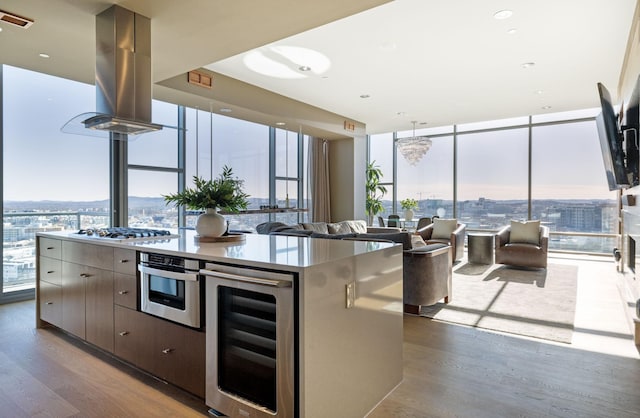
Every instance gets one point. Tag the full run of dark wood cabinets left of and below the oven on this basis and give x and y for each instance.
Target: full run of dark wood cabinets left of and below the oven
(91, 291)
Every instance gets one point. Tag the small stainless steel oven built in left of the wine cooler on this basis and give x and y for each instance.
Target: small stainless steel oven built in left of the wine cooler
(172, 288)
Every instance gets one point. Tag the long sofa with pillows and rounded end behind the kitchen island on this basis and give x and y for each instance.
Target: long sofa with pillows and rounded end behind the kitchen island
(427, 268)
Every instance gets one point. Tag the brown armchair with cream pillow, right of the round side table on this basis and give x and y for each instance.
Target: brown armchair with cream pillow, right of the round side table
(521, 251)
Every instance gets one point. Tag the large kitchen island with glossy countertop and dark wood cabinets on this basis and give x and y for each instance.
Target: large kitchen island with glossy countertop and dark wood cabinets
(347, 310)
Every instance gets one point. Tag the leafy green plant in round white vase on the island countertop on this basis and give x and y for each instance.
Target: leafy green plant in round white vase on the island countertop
(224, 192)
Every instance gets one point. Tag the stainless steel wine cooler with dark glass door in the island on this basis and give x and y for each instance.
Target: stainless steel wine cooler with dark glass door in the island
(250, 342)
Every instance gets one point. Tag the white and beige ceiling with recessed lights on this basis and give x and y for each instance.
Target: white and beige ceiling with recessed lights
(431, 61)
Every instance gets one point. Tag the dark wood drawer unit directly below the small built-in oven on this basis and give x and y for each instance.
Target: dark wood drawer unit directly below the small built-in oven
(169, 351)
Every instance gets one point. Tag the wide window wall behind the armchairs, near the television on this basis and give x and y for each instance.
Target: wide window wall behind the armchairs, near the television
(546, 167)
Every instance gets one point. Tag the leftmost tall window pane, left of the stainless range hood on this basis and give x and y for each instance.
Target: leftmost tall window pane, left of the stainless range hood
(51, 180)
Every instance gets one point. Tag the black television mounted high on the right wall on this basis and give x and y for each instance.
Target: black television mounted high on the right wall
(619, 148)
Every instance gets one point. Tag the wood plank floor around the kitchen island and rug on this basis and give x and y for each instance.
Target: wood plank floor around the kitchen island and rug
(450, 370)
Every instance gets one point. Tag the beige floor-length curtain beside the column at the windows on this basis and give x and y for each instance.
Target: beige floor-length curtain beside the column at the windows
(319, 180)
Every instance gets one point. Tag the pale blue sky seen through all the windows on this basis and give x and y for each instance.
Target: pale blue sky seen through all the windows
(43, 163)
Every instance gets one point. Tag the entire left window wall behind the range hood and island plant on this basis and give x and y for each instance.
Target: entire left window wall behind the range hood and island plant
(55, 181)
